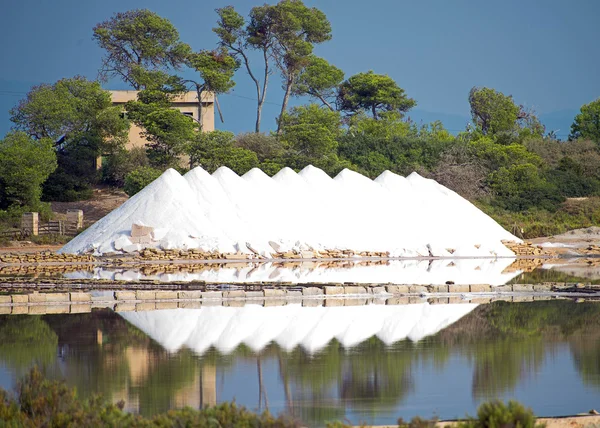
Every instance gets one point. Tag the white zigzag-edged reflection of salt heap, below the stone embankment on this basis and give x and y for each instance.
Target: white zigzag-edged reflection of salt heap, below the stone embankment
(292, 325)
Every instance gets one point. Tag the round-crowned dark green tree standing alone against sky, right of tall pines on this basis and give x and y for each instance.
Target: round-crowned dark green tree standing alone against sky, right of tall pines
(374, 93)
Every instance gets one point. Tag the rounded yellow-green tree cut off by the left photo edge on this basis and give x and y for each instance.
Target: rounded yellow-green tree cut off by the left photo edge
(25, 164)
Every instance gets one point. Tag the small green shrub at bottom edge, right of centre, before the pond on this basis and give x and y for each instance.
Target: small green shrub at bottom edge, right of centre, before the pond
(496, 414)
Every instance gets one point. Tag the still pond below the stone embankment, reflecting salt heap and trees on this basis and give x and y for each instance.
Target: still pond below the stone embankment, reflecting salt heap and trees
(355, 365)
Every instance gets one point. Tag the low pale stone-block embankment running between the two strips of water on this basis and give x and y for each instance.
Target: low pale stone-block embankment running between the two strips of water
(327, 295)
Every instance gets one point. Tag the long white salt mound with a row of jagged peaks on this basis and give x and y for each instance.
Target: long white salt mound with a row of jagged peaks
(309, 212)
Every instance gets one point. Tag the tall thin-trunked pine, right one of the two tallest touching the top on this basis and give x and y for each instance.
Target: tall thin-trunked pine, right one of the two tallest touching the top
(297, 29)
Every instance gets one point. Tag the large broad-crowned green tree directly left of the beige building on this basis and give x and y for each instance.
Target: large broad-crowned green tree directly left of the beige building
(78, 117)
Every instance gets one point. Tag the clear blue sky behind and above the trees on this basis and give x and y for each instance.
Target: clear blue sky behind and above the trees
(543, 52)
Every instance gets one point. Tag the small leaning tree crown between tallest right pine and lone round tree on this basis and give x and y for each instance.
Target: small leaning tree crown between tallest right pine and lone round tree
(319, 80)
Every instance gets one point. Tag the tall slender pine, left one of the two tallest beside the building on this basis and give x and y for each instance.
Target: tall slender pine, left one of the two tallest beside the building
(240, 37)
